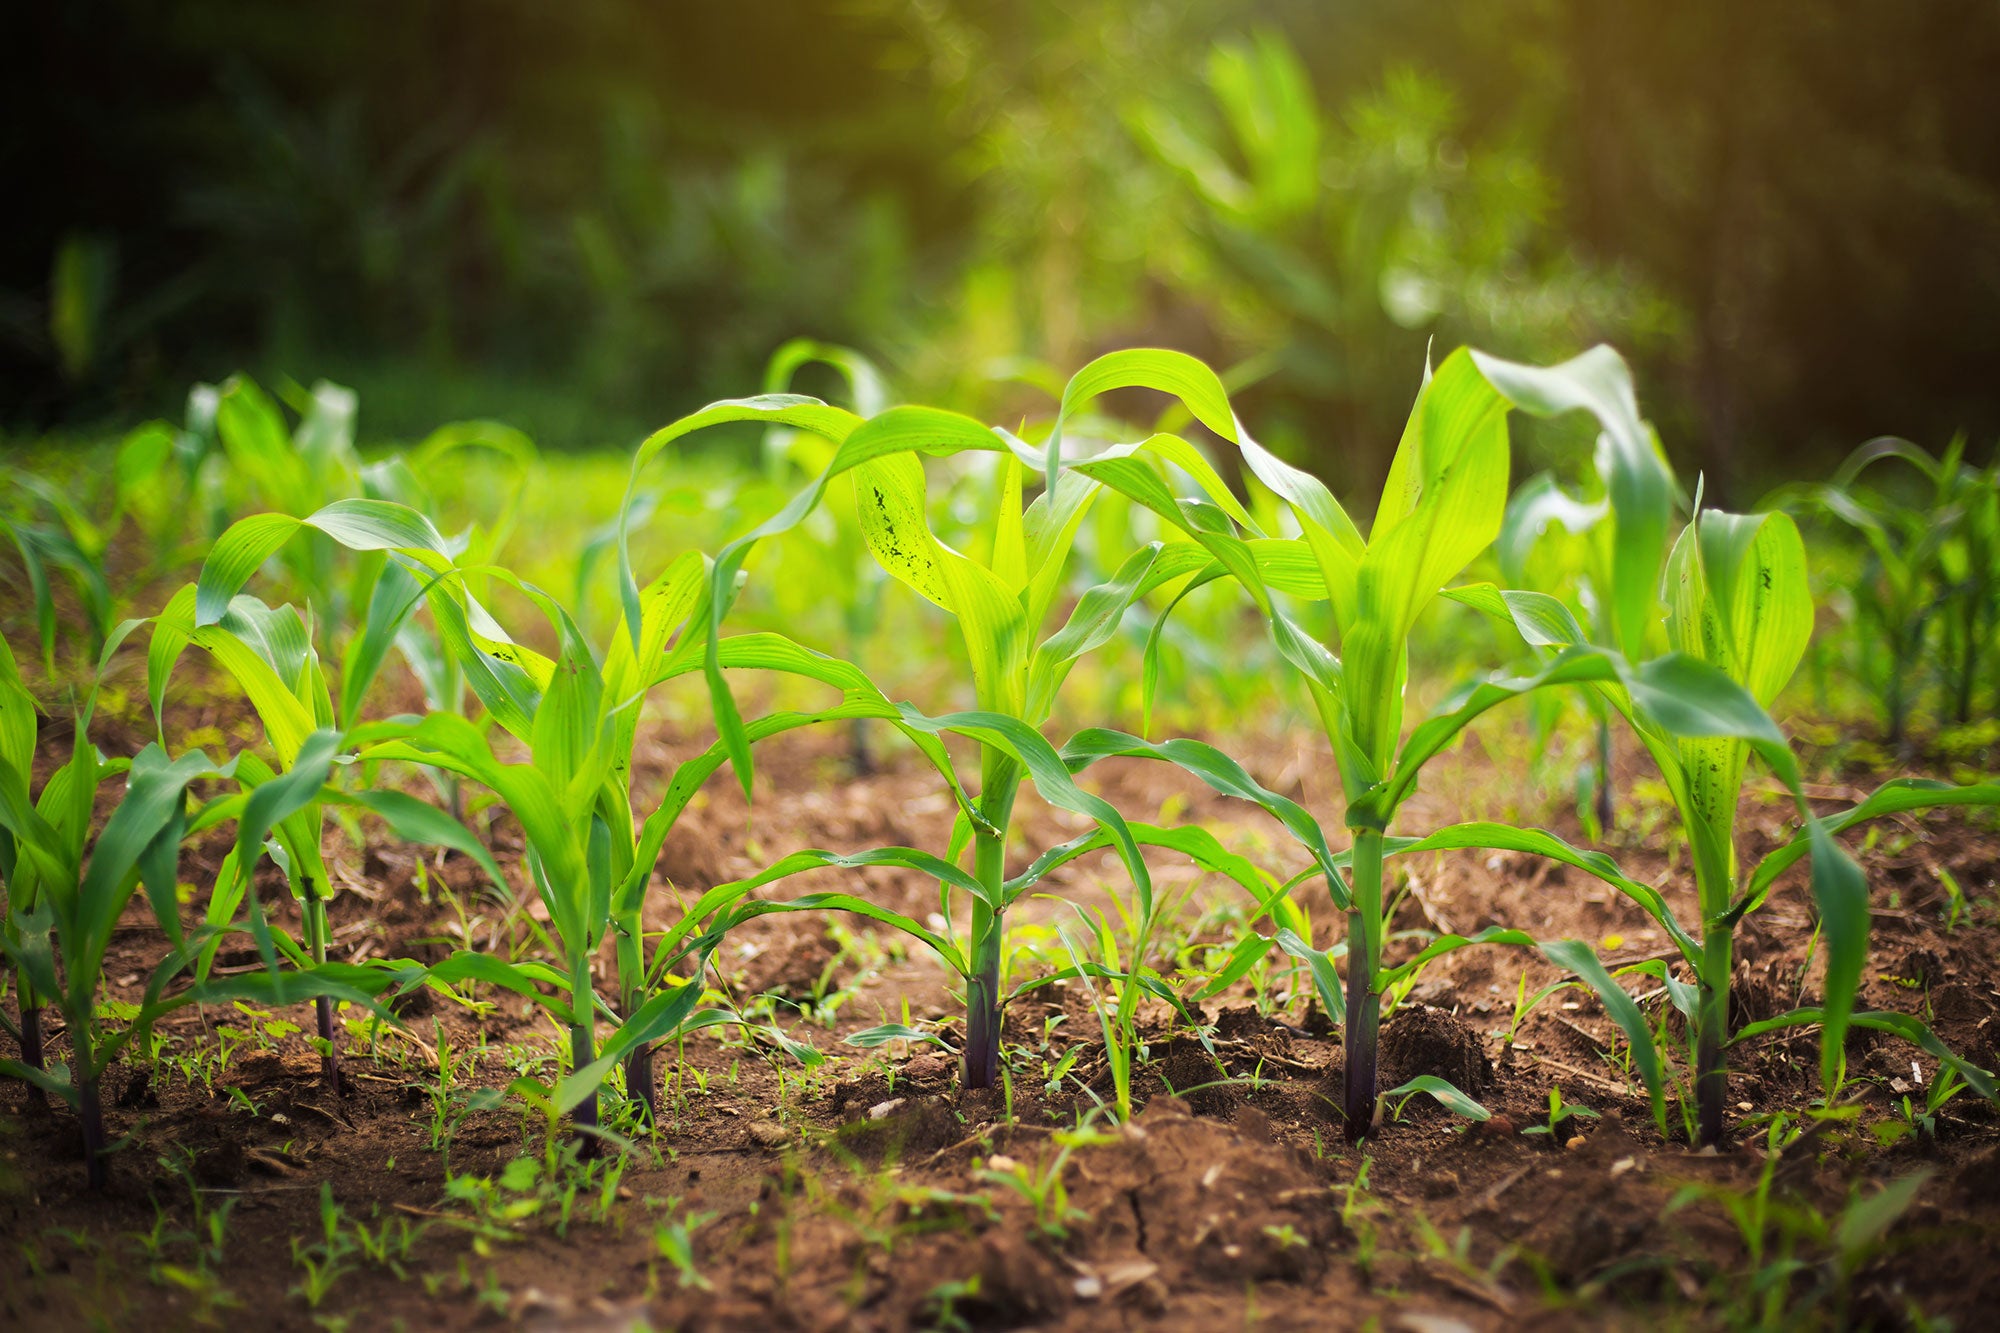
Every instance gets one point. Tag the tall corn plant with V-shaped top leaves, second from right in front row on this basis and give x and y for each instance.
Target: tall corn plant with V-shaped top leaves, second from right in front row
(1441, 507)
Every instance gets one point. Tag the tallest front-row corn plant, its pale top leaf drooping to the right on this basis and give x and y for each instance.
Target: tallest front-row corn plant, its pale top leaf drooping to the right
(1441, 507)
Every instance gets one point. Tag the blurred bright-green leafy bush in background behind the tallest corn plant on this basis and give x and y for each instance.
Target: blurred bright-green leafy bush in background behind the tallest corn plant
(1339, 249)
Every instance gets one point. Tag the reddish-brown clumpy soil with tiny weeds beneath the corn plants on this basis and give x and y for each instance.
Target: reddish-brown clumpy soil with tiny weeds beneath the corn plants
(869, 1192)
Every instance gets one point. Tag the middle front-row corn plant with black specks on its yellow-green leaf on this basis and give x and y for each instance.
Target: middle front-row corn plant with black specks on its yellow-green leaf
(1001, 601)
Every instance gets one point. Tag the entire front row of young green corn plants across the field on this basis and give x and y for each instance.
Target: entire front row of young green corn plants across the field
(1677, 625)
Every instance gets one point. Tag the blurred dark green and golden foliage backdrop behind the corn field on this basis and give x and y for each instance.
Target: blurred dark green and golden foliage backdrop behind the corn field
(587, 219)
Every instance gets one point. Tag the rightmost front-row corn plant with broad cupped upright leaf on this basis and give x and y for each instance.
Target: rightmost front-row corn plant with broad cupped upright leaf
(1739, 615)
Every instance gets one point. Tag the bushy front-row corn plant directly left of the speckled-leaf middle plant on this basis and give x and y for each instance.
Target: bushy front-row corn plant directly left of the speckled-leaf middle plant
(589, 858)
